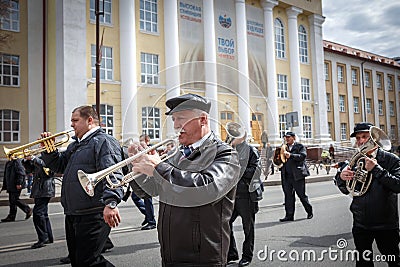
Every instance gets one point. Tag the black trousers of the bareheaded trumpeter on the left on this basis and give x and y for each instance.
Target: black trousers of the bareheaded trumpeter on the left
(86, 236)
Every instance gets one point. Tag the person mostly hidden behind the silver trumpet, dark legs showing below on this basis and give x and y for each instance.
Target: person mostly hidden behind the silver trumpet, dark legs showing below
(145, 205)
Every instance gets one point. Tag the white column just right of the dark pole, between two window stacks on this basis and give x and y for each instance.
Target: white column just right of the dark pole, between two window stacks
(129, 118)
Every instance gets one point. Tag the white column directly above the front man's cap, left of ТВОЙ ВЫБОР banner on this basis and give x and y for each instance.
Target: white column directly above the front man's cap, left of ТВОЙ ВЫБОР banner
(210, 65)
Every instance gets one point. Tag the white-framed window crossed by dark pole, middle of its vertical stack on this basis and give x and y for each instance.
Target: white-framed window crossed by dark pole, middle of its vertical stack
(106, 67)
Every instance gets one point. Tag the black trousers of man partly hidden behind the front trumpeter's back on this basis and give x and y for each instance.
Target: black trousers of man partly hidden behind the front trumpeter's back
(247, 210)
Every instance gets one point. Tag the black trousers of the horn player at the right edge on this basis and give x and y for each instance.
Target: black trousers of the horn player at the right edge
(387, 242)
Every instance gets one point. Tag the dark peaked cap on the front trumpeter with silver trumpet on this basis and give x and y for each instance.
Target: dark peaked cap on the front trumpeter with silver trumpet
(188, 102)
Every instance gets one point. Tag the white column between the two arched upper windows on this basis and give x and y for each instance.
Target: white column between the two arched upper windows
(292, 13)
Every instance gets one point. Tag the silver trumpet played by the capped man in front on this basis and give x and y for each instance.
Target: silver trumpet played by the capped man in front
(89, 181)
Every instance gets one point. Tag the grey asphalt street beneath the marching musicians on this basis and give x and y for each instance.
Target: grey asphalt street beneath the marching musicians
(302, 242)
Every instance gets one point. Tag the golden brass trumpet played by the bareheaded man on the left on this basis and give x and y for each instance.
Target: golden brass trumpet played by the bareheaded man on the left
(49, 142)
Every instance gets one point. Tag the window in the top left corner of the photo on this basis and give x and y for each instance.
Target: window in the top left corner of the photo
(9, 20)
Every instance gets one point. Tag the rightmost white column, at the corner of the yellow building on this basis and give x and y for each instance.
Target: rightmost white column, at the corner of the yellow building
(318, 84)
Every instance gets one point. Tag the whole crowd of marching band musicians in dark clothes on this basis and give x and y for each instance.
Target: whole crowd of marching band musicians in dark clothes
(202, 189)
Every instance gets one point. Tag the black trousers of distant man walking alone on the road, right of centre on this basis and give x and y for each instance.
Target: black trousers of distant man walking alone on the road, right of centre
(290, 186)
